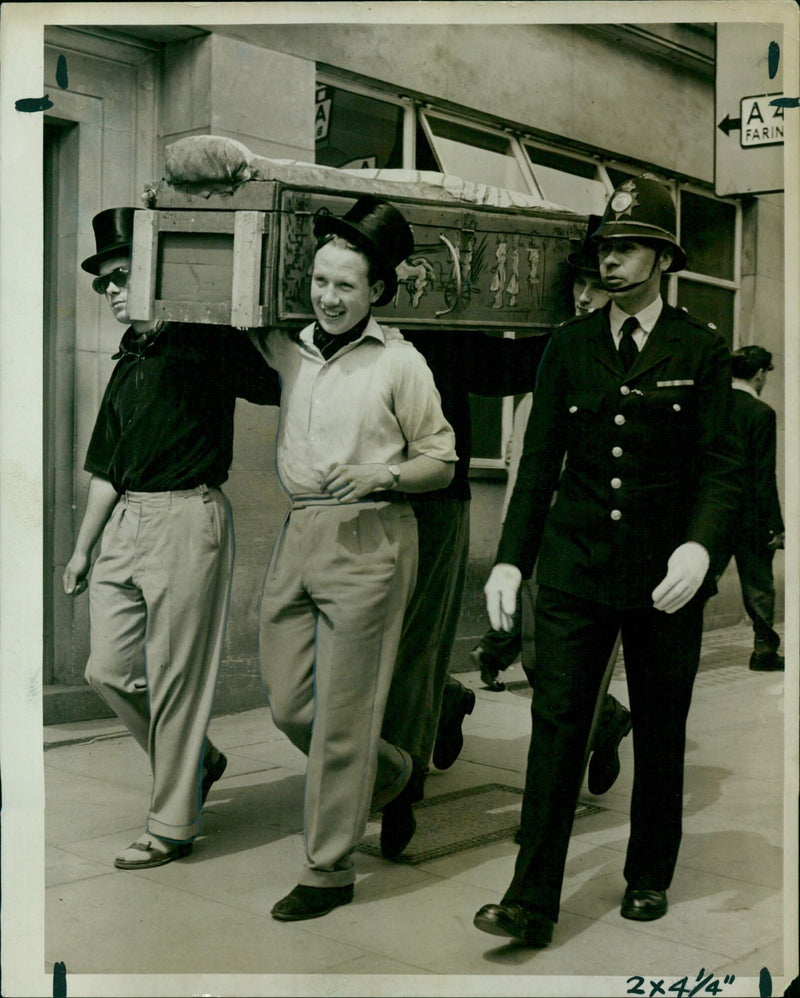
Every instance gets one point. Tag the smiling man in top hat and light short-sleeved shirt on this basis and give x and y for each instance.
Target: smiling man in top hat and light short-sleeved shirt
(361, 424)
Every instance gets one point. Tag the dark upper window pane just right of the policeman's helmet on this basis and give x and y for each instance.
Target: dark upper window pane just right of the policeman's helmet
(708, 235)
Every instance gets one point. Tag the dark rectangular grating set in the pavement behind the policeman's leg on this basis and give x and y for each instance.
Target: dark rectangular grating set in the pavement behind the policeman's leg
(462, 819)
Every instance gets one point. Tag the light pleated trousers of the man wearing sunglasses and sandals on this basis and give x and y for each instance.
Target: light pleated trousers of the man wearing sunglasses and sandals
(158, 604)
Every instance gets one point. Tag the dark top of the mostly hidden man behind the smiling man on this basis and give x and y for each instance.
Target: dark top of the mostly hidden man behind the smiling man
(464, 363)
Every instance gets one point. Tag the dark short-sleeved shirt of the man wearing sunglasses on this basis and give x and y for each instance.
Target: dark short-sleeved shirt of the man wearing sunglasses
(166, 419)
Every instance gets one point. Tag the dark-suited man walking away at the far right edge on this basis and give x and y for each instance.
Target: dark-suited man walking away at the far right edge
(760, 530)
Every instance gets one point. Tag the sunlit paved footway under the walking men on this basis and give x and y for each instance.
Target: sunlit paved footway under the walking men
(202, 925)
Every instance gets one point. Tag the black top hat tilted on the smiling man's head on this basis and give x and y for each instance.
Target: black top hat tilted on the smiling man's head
(379, 230)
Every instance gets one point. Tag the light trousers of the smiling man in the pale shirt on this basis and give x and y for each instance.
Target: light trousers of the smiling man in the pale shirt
(337, 586)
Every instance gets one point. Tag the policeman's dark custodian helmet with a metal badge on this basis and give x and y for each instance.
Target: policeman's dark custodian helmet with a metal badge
(642, 209)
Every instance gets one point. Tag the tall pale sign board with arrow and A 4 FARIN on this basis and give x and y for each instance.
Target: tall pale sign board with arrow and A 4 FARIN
(749, 119)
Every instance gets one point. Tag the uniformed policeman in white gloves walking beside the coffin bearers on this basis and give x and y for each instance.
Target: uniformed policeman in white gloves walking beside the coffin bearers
(636, 397)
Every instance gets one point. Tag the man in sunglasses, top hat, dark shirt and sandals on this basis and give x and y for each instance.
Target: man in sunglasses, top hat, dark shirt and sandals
(160, 451)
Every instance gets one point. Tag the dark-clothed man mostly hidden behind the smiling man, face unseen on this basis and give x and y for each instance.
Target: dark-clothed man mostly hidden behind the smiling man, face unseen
(427, 705)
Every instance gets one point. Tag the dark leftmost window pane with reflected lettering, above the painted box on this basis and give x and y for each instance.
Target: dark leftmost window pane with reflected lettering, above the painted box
(354, 130)
